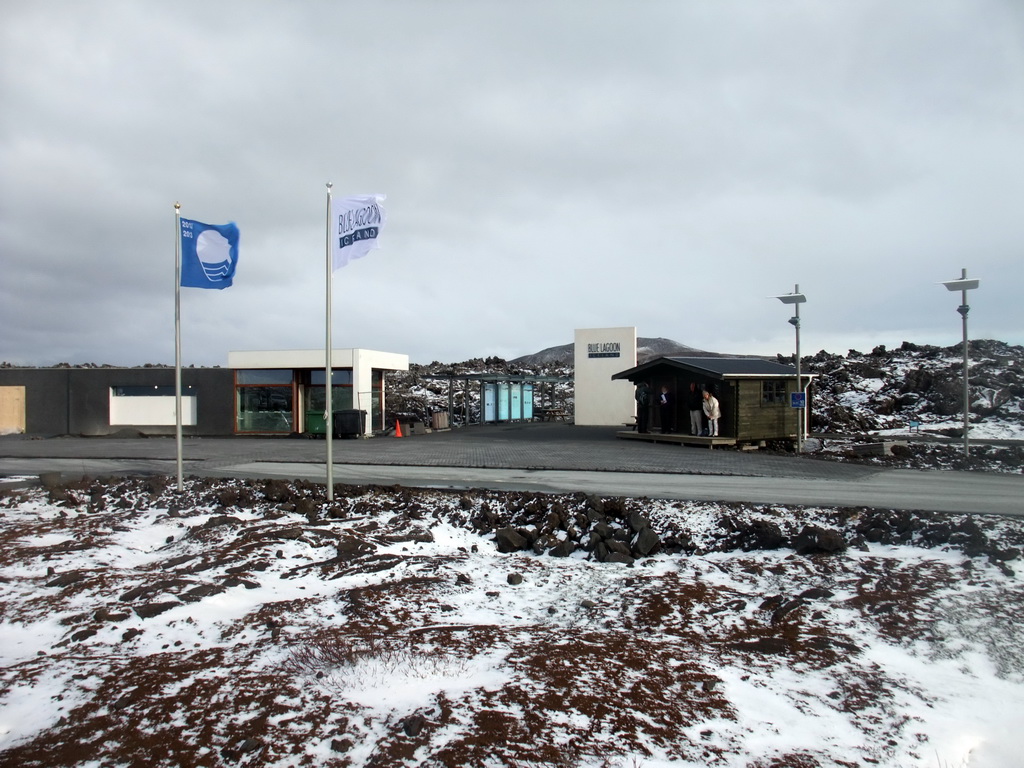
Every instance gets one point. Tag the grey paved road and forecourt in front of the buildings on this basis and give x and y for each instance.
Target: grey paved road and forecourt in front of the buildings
(550, 458)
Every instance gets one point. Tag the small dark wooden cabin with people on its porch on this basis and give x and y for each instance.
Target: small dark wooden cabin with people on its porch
(754, 396)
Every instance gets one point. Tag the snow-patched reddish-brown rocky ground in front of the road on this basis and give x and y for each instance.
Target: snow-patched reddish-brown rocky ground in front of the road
(257, 624)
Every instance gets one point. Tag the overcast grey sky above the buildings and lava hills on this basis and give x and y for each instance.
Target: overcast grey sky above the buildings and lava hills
(548, 166)
